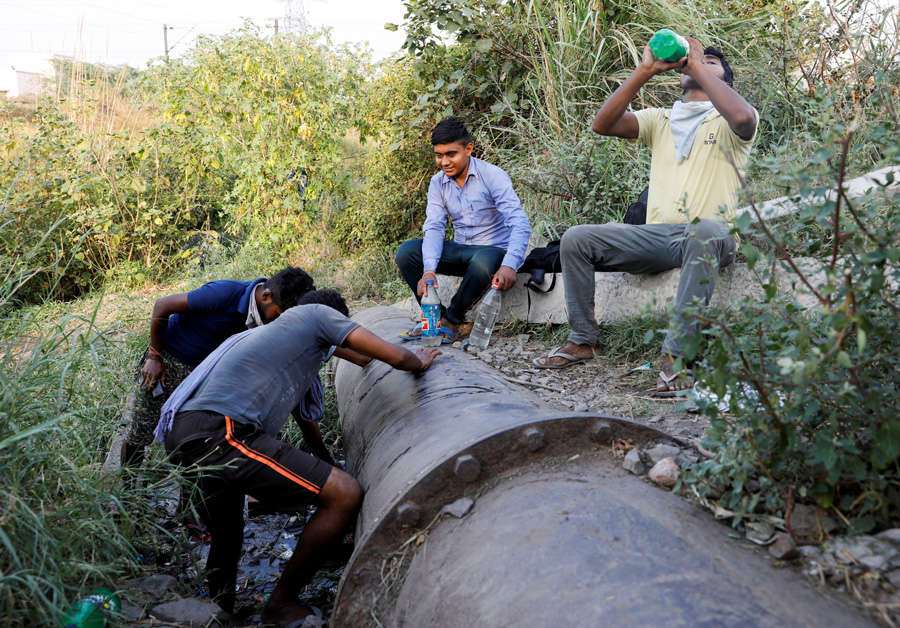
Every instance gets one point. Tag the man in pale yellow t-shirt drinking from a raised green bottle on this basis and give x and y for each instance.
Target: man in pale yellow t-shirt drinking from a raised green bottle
(692, 198)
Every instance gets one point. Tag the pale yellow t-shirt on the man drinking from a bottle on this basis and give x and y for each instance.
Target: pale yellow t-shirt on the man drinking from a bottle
(705, 184)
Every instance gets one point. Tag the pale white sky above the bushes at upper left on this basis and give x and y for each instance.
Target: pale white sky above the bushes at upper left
(116, 32)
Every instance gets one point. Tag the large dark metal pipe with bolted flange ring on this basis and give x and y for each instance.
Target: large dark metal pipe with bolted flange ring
(544, 526)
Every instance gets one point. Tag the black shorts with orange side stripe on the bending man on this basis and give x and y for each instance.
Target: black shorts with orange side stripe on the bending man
(240, 458)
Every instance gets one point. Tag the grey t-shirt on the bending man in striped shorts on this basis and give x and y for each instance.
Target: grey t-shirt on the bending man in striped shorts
(262, 378)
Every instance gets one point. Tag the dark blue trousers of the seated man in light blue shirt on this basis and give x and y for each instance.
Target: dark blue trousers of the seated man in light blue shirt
(476, 264)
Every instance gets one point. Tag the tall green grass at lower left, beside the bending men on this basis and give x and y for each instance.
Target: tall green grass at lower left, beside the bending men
(59, 398)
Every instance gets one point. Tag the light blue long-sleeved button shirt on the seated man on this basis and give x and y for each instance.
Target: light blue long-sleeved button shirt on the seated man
(485, 211)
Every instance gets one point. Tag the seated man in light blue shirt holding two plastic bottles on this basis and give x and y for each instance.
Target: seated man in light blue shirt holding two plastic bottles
(490, 227)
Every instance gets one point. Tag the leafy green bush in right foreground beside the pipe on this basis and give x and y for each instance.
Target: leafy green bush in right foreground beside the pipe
(804, 400)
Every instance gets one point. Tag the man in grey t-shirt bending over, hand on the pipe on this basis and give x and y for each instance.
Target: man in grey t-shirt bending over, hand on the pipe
(230, 424)
